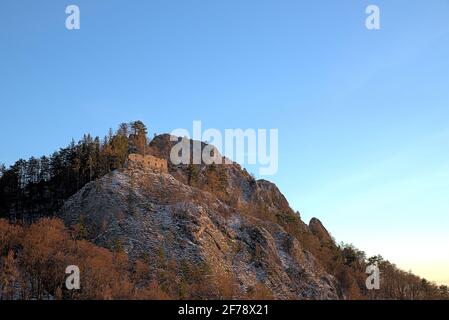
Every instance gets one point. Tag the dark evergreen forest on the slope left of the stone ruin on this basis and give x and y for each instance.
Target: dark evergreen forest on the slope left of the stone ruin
(37, 187)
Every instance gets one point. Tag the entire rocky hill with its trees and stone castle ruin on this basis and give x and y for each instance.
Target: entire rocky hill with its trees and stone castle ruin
(140, 227)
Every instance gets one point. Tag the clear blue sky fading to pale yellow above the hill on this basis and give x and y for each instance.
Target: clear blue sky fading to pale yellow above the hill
(363, 116)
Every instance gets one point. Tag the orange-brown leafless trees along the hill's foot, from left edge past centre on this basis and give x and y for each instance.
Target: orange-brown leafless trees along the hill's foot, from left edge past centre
(33, 260)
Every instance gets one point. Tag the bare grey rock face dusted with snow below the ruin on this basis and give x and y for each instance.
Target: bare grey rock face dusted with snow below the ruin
(149, 212)
